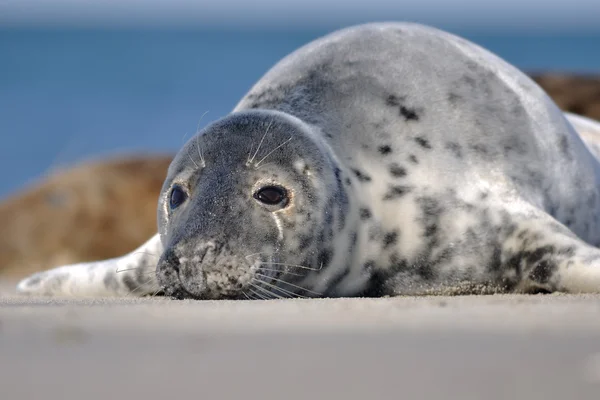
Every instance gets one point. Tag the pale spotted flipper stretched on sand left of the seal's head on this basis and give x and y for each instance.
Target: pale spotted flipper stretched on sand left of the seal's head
(130, 275)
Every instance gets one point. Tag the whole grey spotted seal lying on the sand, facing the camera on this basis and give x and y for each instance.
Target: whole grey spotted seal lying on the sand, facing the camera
(382, 159)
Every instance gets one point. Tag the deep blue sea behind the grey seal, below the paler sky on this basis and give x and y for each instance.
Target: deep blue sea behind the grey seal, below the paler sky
(67, 95)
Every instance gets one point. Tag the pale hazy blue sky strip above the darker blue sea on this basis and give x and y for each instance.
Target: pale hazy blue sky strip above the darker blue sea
(518, 15)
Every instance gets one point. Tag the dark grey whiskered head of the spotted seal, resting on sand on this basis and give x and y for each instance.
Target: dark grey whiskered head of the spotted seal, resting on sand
(250, 209)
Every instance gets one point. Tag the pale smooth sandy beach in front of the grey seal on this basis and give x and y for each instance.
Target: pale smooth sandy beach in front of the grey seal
(475, 347)
